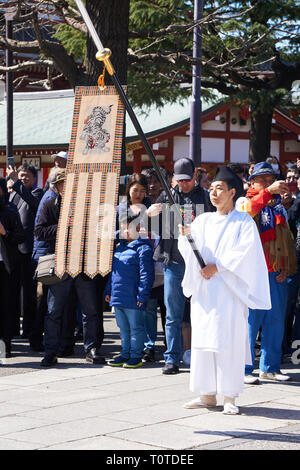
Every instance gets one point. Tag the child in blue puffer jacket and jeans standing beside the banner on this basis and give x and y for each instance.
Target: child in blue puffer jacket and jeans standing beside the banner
(128, 289)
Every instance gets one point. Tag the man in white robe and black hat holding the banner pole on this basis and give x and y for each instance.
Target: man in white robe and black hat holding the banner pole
(234, 279)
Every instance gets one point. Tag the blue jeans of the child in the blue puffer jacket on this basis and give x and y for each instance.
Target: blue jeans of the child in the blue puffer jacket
(132, 331)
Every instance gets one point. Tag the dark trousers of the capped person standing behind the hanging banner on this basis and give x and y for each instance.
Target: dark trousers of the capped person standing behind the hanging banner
(92, 316)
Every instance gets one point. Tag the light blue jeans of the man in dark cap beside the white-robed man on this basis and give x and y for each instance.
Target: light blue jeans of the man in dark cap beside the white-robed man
(175, 303)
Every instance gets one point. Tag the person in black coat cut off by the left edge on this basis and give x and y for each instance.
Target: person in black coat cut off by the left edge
(11, 234)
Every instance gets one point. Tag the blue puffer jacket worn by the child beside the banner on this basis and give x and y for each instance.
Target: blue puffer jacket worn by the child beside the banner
(132, 274)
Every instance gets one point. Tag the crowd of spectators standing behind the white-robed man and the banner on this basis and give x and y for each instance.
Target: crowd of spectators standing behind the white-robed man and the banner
(148, 266)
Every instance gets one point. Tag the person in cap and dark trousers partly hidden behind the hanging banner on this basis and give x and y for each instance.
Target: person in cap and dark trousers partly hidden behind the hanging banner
(87, 291)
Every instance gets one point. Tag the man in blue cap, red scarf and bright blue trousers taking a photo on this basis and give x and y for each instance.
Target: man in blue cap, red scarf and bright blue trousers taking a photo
(263, 203)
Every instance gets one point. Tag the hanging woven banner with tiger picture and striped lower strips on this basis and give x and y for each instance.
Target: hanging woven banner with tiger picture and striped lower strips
(86, 227)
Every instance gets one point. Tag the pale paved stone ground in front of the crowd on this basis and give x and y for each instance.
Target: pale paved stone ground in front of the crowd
(78, 406)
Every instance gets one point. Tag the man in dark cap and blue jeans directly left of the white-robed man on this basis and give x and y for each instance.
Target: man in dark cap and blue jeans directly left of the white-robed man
(192, 199)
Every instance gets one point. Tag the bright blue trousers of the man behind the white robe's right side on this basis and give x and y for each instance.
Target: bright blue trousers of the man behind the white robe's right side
(272, 323)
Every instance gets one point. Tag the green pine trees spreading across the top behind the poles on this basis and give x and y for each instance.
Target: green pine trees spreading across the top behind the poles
(250, 52)
